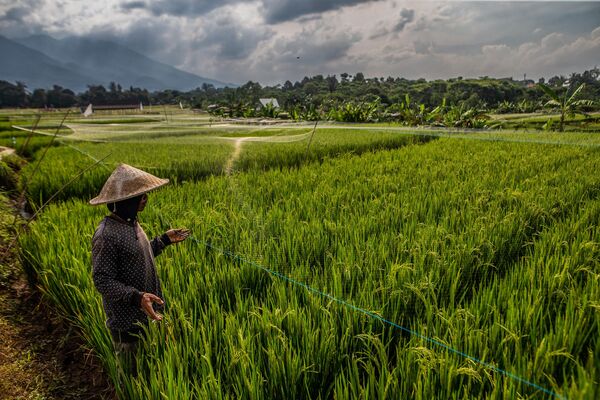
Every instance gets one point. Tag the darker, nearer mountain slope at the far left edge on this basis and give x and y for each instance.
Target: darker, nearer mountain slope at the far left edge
(35, 69)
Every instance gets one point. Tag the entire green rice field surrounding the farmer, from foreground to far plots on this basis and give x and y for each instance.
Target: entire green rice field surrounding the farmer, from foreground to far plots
(482, 247)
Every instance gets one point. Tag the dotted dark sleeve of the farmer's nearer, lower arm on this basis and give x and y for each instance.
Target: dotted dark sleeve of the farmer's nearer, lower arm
(105, 268)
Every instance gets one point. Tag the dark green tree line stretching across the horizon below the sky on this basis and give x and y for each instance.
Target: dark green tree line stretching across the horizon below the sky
(503, 95)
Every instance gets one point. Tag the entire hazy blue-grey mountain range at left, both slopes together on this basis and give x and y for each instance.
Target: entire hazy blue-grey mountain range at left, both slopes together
(75, 62)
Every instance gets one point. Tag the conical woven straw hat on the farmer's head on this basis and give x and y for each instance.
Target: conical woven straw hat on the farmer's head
(126, 182)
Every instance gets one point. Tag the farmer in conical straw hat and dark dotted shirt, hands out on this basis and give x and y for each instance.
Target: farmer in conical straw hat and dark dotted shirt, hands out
(123, 259)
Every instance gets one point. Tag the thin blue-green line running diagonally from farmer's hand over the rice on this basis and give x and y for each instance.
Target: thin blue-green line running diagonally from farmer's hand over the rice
(370, 314)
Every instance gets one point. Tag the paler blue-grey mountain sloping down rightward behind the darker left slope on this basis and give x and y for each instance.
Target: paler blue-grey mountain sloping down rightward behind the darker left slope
(96, 61)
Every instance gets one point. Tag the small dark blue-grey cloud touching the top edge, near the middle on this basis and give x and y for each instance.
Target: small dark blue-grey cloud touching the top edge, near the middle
(276, 11)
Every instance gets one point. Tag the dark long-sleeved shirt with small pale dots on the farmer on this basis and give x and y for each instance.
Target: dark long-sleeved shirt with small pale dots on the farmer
(123, 269)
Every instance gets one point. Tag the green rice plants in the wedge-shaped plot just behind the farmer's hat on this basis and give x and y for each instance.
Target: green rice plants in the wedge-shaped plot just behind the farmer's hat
(192, 157)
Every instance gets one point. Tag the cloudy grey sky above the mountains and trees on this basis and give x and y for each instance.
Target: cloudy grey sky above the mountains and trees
(270, 41)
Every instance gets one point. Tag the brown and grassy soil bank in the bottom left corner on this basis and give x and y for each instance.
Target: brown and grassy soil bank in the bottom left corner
(41, 357)
